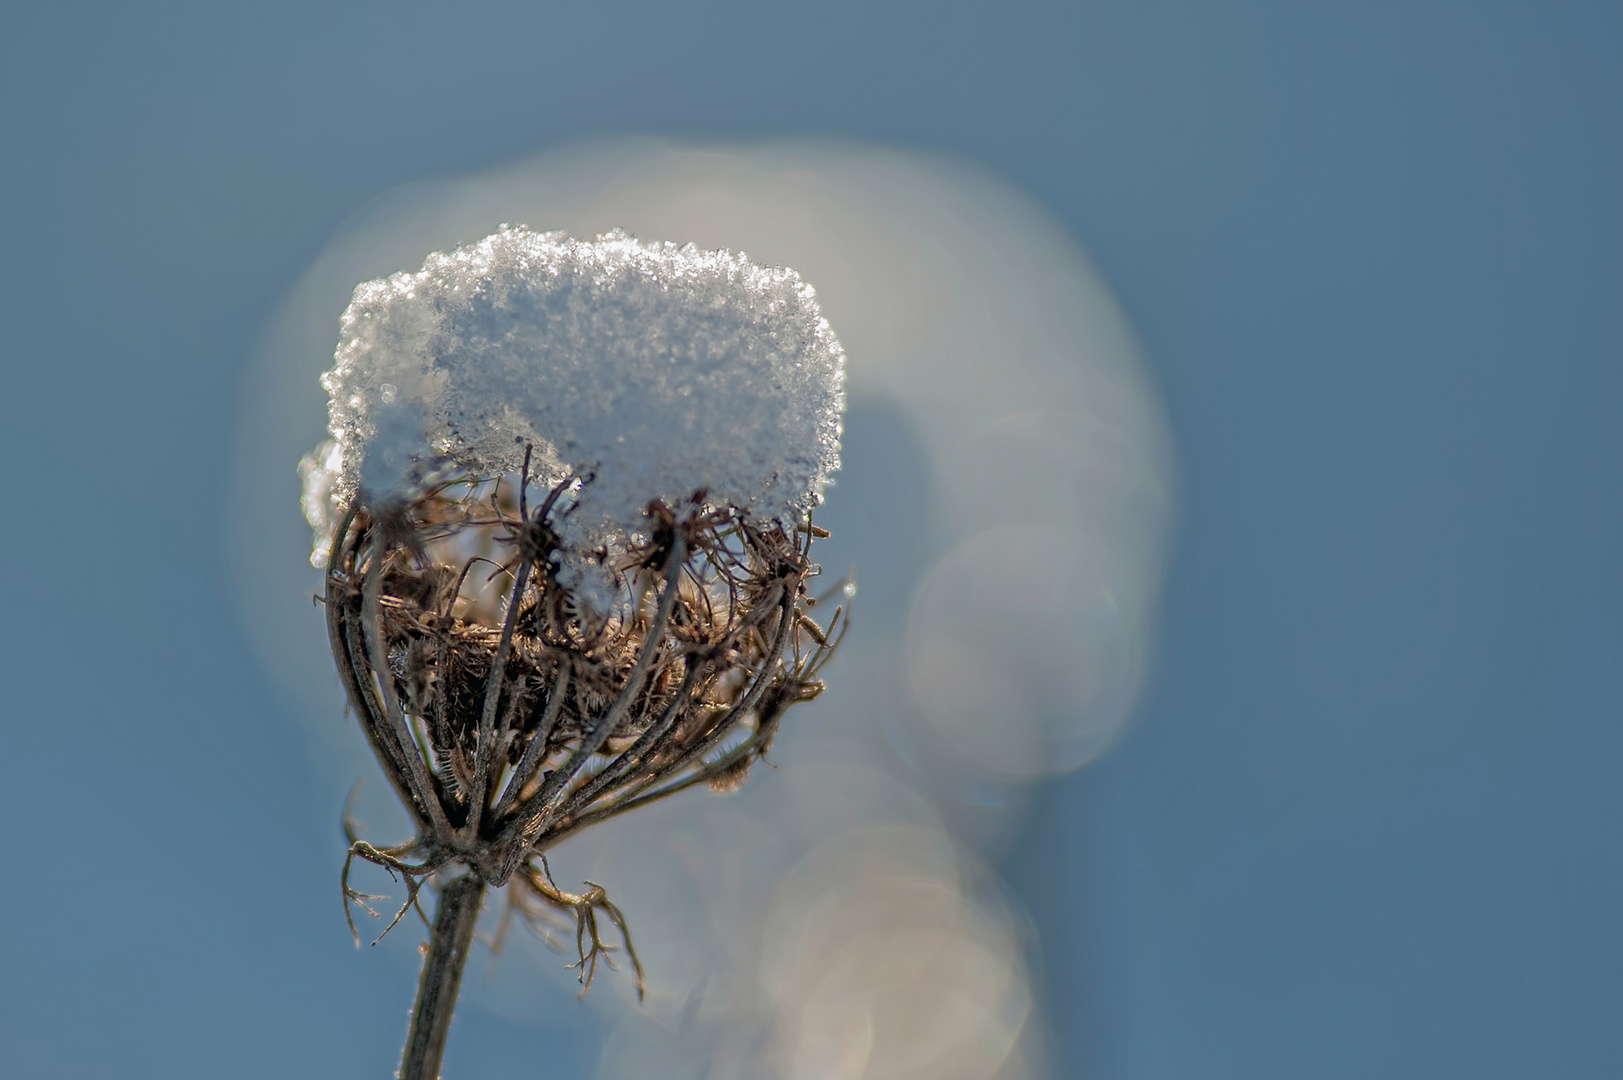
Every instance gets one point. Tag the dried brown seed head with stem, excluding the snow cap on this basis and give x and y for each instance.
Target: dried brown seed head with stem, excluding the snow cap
(509, 715)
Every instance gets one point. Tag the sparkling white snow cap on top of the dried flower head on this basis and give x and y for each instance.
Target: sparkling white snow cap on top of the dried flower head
(650, 371)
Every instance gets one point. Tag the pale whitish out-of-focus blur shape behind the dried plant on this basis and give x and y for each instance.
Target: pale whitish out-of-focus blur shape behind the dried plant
(832, 920)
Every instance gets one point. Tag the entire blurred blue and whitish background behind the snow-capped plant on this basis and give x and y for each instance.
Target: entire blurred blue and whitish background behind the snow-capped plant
(1288, 342)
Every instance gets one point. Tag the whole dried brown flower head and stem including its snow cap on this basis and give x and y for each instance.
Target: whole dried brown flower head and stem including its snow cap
(566, 519)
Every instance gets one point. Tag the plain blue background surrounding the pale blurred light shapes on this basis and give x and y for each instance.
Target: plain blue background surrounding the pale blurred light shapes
(1369, 823)
